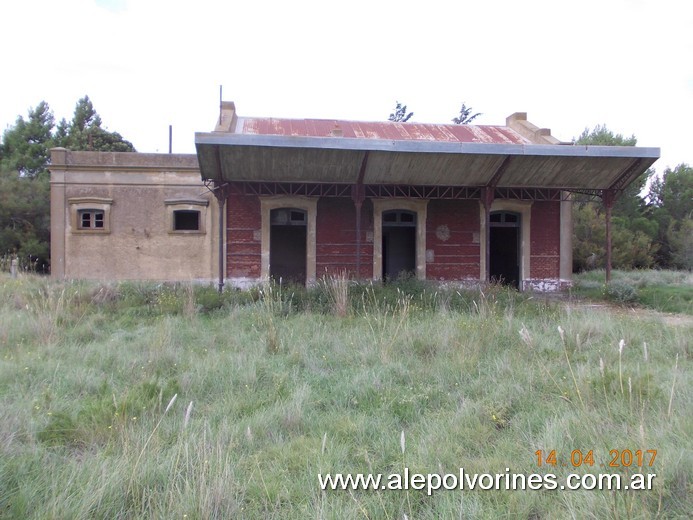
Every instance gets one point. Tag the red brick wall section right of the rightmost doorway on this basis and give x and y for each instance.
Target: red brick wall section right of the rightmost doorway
(545, 240)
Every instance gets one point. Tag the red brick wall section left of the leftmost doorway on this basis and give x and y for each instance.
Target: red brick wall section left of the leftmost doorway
(243, 221)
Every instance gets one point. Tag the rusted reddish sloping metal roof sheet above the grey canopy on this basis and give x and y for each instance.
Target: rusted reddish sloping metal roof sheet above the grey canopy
(379, 130)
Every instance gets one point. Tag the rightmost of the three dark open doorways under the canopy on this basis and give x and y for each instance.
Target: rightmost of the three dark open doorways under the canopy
(505, 248)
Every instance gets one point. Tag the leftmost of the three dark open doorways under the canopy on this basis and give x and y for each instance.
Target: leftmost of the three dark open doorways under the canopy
(288, 234)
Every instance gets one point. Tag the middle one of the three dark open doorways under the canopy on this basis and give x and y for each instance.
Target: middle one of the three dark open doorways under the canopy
(399, 244)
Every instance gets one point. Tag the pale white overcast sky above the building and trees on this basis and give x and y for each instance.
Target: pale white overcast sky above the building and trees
(147, 64)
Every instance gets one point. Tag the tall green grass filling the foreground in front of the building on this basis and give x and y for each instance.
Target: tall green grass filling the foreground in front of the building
(145, 401)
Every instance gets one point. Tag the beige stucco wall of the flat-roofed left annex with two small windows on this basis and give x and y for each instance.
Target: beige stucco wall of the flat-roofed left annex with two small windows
(143, 188)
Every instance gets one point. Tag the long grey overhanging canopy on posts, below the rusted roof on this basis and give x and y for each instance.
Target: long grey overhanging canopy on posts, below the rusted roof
(230, 157)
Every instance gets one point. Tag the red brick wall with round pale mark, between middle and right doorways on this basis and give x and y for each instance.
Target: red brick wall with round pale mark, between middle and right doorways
(456, 257)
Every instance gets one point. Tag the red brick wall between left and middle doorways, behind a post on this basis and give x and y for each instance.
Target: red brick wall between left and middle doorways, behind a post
(336, 237)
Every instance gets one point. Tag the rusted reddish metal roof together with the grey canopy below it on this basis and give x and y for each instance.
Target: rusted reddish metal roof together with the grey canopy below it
(380, 153)
